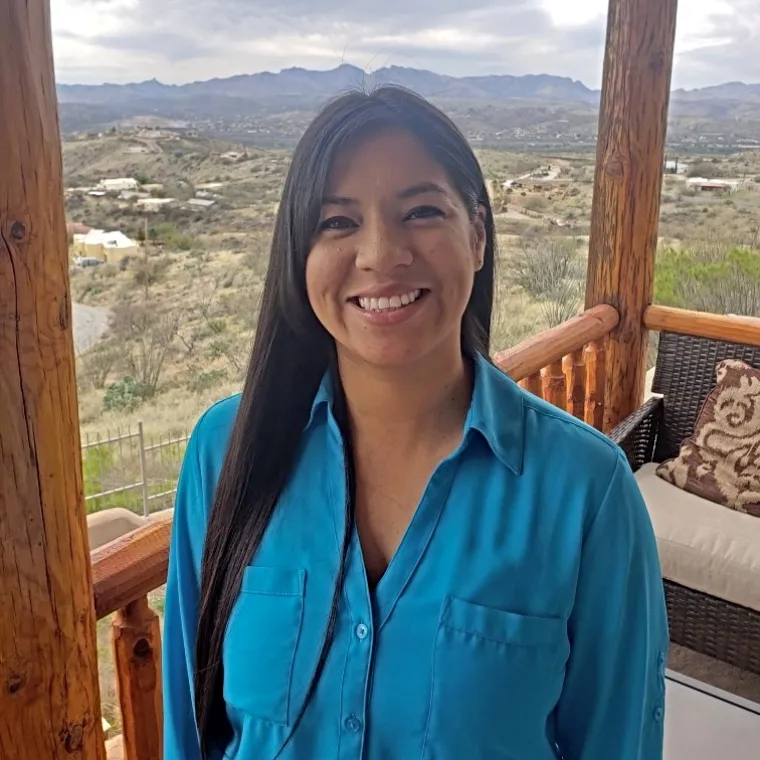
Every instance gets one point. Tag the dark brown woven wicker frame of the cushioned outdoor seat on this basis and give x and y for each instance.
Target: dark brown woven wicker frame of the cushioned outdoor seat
(685, 375)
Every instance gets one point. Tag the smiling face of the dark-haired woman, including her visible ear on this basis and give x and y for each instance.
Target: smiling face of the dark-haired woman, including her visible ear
(392, 264)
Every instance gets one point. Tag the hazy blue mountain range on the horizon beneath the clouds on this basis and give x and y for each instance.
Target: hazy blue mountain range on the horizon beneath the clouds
(273, 108)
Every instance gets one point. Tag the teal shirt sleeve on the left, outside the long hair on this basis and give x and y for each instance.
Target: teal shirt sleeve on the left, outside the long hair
(181, 611)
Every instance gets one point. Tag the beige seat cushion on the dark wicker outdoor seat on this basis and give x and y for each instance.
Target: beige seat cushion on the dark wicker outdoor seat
(703, 545)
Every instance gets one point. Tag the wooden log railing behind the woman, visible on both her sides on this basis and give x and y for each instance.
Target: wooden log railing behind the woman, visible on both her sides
(564, 365)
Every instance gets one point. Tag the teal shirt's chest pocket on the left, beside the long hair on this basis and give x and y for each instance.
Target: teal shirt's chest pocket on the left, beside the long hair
(261, 640)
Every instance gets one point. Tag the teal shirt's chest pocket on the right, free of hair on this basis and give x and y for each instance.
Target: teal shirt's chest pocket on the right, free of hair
(497, 676)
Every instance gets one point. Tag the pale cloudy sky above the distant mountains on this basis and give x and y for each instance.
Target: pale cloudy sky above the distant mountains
(178, 41)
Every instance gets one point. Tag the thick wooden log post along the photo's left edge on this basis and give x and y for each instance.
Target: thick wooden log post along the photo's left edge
(49, 696)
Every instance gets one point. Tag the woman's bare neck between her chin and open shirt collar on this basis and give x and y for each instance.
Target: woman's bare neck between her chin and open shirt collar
(421, 404)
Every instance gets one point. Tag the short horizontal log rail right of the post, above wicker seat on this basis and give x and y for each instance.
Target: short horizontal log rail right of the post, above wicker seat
(700, 324)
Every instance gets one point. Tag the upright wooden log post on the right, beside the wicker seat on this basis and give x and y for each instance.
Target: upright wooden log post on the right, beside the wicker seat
(626, 207)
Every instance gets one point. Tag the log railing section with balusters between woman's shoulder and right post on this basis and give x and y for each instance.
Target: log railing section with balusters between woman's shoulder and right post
(565, 365)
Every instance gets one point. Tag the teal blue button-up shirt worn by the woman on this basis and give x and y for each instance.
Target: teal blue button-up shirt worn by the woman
(522, 617)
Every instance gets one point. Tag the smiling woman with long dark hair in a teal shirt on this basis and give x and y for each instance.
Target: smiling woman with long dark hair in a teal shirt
(383, 548)
